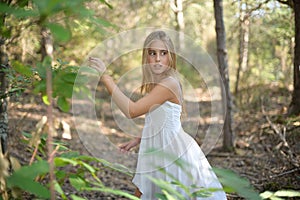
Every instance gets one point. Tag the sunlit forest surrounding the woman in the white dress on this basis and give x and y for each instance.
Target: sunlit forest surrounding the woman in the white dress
(239, 64)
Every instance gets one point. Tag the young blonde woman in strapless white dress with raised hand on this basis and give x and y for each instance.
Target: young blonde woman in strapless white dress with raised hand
(166, 152)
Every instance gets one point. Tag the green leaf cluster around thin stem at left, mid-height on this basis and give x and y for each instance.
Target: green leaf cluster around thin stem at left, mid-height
(64, 76)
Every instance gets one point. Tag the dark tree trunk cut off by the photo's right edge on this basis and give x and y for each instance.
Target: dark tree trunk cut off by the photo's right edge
(294, 108)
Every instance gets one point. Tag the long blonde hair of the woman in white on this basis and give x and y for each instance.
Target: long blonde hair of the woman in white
(147, 81)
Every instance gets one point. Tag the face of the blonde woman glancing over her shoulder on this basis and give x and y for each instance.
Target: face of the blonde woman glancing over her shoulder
(158, 57)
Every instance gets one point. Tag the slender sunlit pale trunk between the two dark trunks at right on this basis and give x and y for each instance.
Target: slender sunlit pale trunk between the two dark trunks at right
(243, 44)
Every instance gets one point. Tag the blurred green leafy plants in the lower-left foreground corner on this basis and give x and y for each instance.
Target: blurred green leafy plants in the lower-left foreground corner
(82, 176)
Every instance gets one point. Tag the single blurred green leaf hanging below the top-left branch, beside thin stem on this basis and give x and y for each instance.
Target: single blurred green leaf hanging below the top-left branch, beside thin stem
(59, 32)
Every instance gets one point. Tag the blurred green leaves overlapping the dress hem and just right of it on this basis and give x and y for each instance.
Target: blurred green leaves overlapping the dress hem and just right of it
(231, 182)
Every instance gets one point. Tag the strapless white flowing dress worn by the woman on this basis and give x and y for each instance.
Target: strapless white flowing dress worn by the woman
(168, 153)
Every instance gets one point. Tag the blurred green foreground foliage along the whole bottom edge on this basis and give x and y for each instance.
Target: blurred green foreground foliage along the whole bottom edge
(81, 173)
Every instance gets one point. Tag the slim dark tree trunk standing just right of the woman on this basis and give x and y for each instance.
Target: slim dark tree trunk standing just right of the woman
(228, 138)
